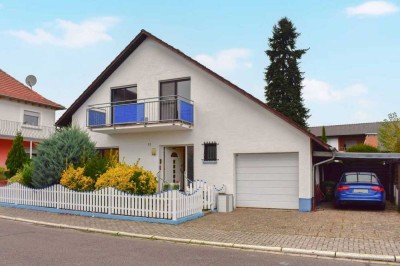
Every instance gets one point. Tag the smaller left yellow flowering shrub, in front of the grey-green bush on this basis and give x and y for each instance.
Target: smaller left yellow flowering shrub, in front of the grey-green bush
(73, 178)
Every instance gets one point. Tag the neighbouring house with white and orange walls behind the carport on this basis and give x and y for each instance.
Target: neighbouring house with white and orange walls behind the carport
(344, 136)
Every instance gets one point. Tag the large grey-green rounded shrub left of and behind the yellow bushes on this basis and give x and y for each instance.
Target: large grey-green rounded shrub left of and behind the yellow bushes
(68, 145)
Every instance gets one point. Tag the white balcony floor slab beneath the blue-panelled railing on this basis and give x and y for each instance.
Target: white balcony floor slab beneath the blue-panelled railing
(140, 128)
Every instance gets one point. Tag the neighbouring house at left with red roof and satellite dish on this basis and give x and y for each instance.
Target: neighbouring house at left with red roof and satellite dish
(24, 110)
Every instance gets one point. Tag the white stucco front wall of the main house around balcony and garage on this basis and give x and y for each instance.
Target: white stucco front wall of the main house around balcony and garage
(221, 114)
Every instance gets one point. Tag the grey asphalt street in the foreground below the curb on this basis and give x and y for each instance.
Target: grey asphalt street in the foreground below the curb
(27, 244)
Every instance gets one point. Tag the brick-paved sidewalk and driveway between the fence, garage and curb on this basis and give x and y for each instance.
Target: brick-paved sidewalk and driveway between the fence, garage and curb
(365, 232)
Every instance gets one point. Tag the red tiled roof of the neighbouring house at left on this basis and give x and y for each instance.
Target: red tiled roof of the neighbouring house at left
(13, 89)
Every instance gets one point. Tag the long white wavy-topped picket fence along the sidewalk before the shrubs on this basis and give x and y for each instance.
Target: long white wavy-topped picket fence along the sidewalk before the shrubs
(171, 205)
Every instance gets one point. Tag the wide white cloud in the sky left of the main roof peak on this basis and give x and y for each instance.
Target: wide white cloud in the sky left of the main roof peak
(69, 34)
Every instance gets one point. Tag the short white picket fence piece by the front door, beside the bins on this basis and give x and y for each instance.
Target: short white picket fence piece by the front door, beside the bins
(210, 193)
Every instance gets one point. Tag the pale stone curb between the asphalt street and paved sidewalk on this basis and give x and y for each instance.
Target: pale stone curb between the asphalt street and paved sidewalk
(318, 253)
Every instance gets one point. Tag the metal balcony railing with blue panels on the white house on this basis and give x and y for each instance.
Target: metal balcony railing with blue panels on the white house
(142, 111)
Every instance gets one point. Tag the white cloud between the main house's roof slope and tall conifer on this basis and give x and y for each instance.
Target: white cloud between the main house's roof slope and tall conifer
(227, 60)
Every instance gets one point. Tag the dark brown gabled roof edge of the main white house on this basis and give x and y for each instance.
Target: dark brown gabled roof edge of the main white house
(66, 118)
